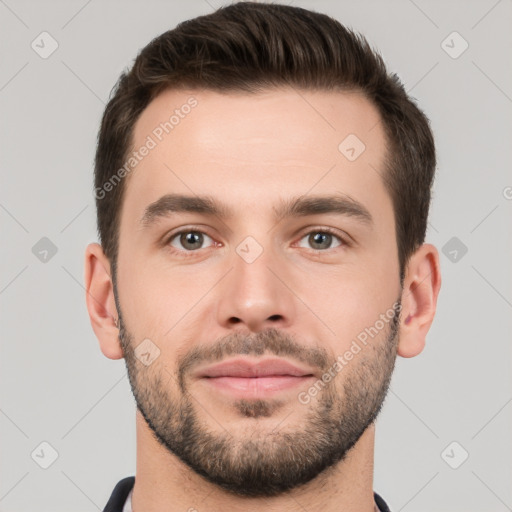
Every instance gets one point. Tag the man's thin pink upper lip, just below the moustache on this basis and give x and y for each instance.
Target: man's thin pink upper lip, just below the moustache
(244, 368)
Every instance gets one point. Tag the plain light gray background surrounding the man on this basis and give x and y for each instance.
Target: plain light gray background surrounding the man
(57, 387)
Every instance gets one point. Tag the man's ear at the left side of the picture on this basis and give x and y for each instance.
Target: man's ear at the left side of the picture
(100, 301)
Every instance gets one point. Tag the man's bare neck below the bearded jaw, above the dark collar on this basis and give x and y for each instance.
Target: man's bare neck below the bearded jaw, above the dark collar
(163, 482)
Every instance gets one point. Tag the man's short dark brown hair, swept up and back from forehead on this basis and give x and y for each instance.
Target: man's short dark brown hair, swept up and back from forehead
(251, 47)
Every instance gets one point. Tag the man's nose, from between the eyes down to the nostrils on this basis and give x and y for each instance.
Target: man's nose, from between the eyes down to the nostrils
(255, 296)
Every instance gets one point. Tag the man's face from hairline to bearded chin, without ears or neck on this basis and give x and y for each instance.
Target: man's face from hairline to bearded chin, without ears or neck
(274, 245)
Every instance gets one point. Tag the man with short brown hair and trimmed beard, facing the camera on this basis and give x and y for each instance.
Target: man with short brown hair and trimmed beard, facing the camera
(263, 187)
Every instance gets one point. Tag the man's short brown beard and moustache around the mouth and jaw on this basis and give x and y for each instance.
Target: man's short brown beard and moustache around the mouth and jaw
(264, 462)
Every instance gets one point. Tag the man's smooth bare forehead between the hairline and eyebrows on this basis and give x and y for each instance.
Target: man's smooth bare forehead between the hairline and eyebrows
(249, 148)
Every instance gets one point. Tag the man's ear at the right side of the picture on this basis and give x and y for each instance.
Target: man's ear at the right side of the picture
(419, 299)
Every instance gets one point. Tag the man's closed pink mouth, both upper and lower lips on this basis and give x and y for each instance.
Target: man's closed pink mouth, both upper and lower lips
(243, 378)
